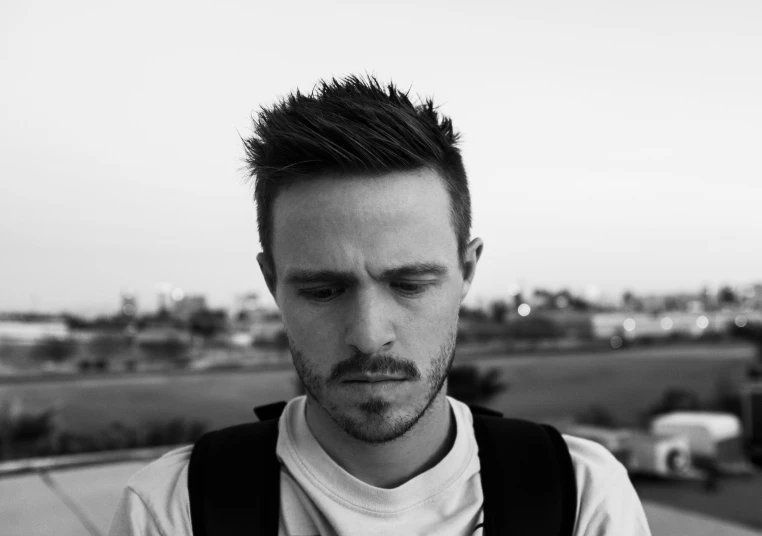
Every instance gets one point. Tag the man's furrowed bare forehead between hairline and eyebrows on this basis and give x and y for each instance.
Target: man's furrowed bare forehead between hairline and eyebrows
(391, 220)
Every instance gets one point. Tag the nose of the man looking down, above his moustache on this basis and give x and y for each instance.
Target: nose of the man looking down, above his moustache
(369, 326)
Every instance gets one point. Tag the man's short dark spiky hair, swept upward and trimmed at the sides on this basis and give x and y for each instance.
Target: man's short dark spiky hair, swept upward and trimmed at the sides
(352, 126)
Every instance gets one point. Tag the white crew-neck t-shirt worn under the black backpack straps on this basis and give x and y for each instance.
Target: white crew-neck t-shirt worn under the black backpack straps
(318, 497)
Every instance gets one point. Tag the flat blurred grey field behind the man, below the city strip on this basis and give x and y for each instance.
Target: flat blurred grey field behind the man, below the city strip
(544, 387)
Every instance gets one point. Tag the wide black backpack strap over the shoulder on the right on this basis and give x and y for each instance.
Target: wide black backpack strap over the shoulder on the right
(527, 478)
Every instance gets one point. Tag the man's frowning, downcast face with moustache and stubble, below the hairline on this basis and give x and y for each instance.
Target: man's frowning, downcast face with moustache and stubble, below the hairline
(368, 280)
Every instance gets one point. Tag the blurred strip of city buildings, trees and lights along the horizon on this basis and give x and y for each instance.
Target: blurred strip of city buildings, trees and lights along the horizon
(180, 330)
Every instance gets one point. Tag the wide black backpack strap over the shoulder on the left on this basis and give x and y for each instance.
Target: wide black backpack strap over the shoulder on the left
(234, 479)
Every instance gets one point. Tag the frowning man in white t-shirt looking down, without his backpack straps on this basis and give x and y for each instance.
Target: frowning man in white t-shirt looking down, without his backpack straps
(364, 219)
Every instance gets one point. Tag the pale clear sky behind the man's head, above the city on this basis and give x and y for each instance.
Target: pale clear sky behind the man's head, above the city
(609, 145)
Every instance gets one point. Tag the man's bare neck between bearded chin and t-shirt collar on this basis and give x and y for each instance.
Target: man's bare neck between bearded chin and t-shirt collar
(391, 464)
